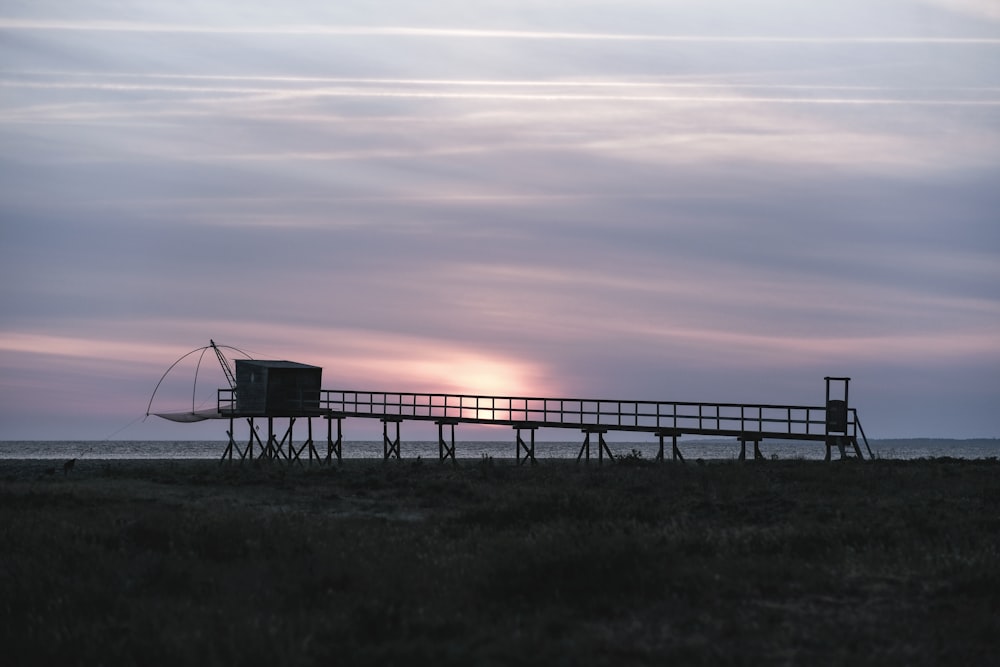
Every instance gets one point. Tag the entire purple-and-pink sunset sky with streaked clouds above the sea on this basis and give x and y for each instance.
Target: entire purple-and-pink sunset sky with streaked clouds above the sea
(720, 201)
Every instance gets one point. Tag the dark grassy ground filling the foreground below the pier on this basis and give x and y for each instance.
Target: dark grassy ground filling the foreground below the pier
(168, 563)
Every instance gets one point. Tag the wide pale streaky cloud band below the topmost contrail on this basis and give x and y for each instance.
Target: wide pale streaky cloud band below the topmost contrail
(516, 120)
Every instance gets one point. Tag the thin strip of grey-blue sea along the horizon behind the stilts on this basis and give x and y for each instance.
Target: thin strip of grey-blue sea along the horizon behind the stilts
(708, 449)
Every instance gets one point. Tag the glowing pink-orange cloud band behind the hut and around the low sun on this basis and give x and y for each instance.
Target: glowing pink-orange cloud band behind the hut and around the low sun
(359, 360)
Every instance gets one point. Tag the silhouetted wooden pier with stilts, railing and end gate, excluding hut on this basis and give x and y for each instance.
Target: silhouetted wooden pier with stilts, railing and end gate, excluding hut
(834, 424)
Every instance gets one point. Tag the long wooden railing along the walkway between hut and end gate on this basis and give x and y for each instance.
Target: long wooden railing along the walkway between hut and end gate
(736, 419)
